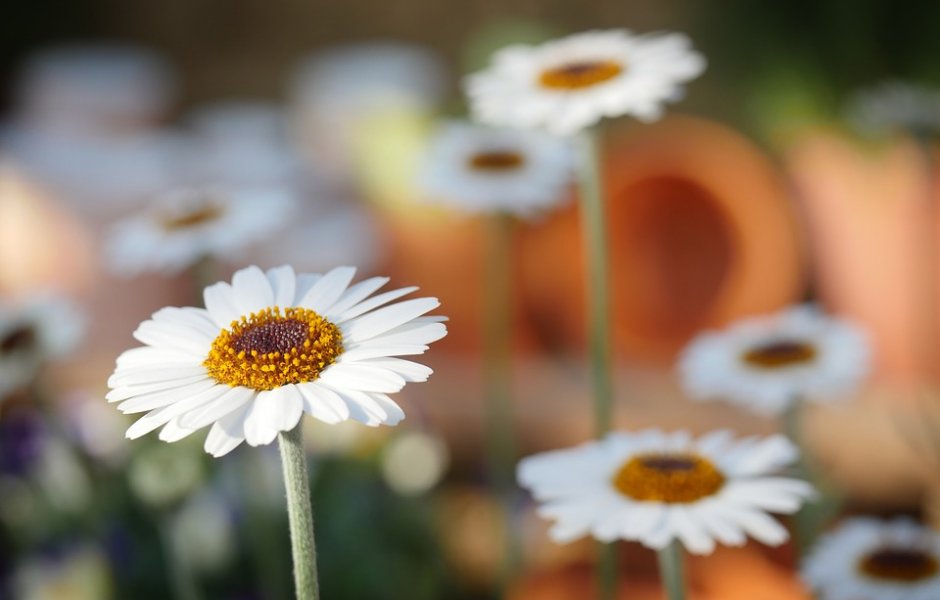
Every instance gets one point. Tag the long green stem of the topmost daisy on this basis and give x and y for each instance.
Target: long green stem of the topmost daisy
(594, 231)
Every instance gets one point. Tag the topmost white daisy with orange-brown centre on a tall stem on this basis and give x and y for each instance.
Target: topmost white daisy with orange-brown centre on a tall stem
(566, 85)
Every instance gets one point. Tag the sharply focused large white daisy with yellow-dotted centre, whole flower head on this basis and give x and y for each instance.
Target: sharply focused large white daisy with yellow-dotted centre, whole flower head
(269, 347)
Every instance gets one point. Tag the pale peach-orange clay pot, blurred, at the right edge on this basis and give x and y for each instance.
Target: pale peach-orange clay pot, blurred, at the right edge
(871, 228)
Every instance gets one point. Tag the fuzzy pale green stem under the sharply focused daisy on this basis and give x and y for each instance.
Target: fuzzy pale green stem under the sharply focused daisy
(299, 513)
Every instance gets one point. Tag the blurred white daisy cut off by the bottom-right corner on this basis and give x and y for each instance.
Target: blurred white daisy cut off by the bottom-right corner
(869, 559)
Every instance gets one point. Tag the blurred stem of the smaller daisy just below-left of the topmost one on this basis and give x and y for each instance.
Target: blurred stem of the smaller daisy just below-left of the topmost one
(497, 339)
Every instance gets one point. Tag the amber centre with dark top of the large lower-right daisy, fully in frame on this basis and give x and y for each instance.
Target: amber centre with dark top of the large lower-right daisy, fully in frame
(671, 478)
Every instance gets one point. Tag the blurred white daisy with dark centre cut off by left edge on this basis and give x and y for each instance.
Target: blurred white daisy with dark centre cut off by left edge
(32, 332)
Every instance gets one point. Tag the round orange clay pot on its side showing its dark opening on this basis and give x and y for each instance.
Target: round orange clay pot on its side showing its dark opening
(701, 232)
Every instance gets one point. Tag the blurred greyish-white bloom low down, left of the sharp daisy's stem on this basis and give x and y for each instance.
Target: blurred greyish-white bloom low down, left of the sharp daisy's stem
(202, 534)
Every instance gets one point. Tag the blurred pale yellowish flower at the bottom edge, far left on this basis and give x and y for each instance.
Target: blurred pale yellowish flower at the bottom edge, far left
(80, 573)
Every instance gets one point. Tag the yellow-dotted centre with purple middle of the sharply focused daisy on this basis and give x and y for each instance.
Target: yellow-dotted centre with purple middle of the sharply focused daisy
(272, 348)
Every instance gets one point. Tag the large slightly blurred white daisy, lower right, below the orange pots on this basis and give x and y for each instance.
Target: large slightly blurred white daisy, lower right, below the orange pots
(655, 487)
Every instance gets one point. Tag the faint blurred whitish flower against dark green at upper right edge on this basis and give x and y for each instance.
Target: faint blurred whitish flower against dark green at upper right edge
(896, 105)
